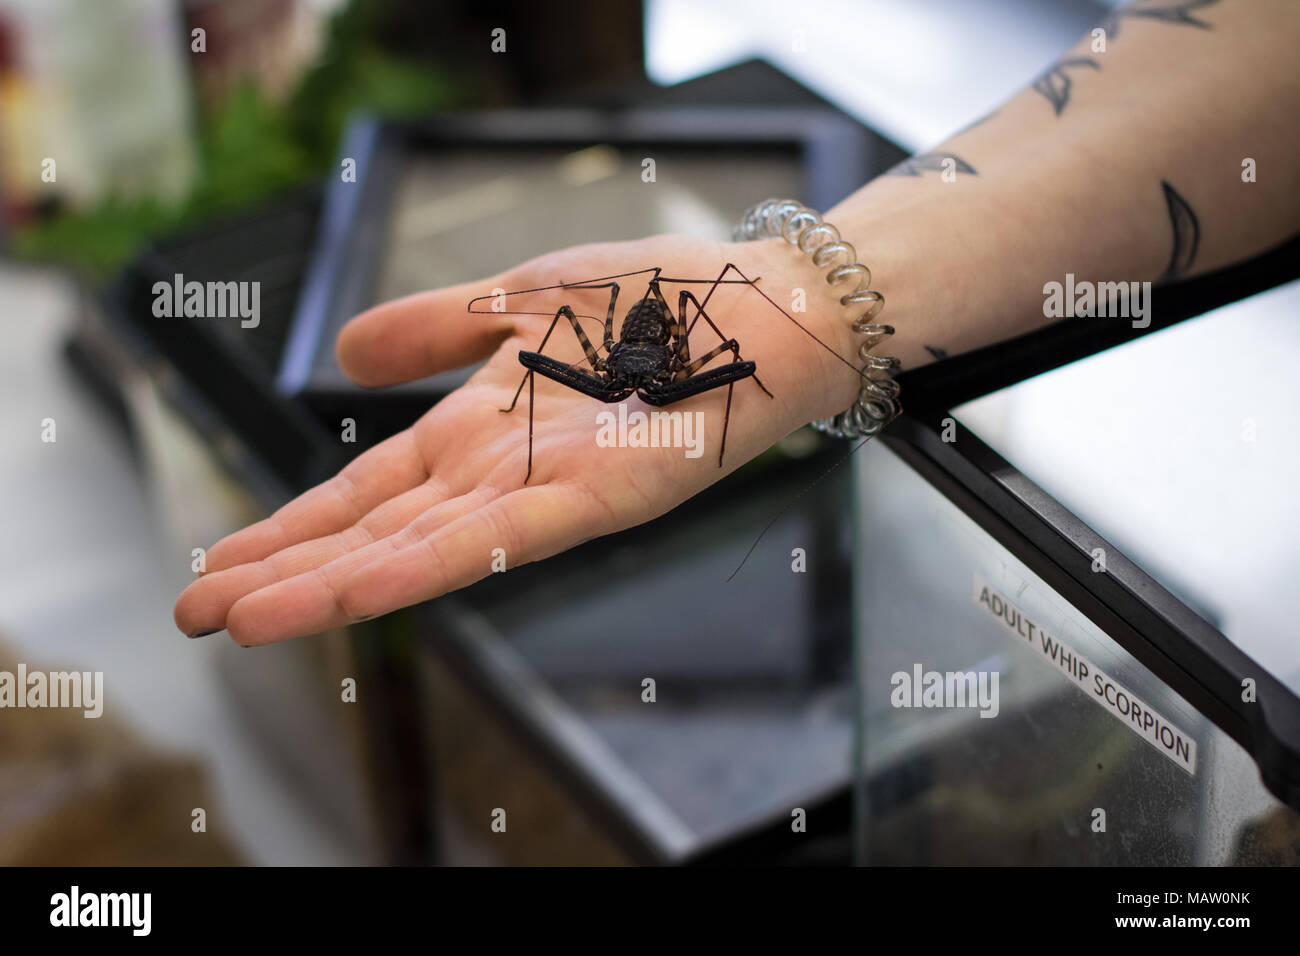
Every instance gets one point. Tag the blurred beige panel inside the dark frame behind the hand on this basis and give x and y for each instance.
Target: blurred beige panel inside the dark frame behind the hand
(463, 214)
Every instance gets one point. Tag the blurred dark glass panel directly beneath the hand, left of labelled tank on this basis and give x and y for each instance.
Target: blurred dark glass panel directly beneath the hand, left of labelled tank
(751, 691)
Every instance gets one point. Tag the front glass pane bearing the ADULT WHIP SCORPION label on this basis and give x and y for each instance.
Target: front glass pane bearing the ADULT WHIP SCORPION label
(1063, 752)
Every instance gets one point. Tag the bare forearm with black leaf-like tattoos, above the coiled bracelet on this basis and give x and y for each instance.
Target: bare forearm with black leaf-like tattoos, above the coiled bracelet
(1126, 170)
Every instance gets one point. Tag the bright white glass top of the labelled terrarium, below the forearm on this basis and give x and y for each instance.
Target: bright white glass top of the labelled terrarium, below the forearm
(1184, 464)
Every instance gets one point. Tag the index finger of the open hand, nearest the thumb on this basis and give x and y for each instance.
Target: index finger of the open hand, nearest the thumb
(392, 468)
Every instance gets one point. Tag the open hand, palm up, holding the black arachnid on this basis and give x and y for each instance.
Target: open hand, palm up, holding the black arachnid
(428, 511)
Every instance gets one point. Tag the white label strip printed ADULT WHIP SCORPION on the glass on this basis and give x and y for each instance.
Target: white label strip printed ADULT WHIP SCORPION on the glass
(1106, 691)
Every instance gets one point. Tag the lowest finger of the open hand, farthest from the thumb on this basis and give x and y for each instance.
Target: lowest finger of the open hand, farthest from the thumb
(427, 560)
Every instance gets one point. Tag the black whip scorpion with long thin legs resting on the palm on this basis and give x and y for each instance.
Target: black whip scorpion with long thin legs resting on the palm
(651, 357)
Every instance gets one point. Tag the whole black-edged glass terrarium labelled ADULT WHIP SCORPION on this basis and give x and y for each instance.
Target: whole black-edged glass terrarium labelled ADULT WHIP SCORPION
(1074, 612)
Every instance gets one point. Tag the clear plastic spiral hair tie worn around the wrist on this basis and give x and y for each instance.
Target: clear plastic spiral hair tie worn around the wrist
(878, 399)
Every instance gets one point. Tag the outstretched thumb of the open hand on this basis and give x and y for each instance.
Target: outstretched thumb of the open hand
(421, 335)
